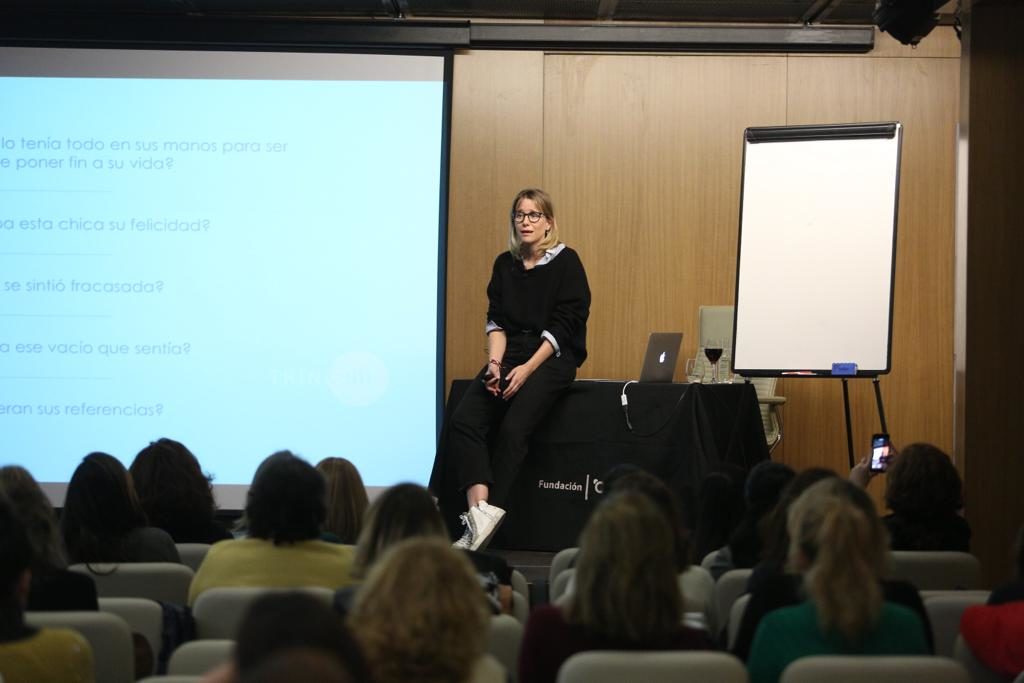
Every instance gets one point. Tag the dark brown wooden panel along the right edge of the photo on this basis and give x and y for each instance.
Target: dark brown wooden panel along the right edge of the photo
(993, 413)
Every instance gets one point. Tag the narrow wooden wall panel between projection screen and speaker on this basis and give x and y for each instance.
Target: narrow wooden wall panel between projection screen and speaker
(497, 148)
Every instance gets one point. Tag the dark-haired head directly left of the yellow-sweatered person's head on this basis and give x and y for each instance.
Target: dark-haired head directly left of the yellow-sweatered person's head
(172, 487)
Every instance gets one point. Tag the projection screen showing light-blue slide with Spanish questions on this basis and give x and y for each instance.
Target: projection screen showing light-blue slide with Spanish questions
(243, 264)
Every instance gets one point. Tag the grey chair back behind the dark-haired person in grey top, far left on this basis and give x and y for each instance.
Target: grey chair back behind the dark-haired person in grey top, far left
(164, 582)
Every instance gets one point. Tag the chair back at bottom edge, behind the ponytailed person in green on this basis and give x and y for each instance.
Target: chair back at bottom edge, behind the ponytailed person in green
(868, 669)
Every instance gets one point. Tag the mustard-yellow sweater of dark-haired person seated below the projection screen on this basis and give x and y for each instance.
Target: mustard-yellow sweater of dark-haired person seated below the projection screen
(260, 563)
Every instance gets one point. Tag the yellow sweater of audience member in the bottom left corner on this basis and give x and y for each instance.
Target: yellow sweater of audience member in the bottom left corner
(53, 656)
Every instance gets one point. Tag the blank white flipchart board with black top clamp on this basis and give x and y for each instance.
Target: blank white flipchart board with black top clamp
(818, 249)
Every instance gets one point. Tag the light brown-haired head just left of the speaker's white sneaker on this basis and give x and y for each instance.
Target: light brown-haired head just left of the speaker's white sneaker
(403, 511)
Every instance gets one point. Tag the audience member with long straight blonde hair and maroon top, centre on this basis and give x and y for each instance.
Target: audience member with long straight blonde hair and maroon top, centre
(627, 595)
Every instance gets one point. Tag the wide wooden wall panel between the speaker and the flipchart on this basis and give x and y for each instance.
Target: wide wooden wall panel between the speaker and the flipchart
(644, 155)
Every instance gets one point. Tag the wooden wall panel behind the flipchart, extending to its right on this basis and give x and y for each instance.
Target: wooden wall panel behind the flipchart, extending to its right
(922, 94)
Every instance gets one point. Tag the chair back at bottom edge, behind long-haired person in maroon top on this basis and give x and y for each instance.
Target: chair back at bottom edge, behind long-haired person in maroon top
(616, 667)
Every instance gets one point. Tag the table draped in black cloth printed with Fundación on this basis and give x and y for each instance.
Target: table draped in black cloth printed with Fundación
(680, 433)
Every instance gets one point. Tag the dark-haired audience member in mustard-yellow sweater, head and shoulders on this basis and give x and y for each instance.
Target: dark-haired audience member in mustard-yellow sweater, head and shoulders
(286, 507)
